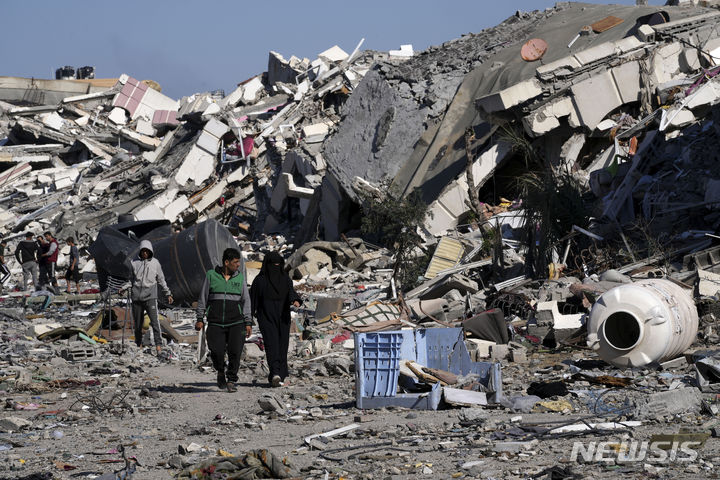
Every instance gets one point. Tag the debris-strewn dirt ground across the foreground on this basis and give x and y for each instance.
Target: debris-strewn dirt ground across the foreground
(168, 415)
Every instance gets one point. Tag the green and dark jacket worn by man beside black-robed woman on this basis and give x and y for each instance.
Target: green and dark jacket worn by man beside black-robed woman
(225, 302)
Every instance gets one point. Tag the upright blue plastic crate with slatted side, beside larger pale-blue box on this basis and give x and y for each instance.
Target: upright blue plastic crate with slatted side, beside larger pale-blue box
(378, 356)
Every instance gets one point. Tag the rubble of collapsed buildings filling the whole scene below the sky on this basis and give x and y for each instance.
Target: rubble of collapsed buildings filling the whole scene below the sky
(566, 312)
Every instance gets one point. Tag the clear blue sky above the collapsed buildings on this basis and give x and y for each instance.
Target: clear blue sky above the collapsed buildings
(190, 47)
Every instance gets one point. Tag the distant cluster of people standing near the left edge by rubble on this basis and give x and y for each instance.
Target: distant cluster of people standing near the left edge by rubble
(38, 258)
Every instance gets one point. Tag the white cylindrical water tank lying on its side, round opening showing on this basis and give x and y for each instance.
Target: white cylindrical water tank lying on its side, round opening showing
(648, 321)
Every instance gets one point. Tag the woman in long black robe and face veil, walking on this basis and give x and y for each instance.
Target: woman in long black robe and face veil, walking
(272, 293)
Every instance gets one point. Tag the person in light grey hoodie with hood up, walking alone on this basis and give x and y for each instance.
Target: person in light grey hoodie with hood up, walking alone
(147, 274)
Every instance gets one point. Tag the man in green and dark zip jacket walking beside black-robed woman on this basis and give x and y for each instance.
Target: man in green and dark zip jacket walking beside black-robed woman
(225, 300)
